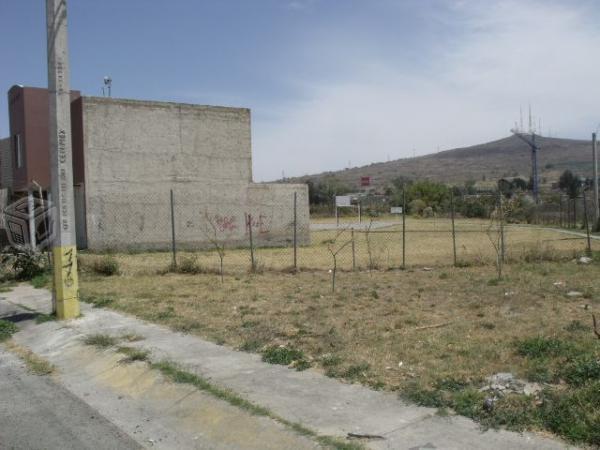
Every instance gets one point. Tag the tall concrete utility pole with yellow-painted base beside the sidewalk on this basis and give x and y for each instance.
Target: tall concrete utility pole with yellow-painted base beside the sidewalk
(64, 250)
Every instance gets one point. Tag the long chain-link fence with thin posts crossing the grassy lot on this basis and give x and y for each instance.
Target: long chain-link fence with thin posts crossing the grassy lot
(151, 233)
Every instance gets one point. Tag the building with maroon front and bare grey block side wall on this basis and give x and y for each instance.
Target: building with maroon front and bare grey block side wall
(127, 157)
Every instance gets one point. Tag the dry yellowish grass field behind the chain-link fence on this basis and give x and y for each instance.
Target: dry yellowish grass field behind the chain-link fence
(428, 242)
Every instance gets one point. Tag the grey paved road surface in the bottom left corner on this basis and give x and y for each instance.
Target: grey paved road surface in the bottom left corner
(36, 413)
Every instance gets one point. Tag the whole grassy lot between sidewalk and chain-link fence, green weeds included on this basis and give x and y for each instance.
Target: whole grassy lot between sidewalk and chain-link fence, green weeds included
(432, 335)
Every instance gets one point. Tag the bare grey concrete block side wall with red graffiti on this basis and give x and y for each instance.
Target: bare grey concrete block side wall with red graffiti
(136, 152)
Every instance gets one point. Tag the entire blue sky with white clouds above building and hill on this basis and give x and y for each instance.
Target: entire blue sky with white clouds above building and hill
(333, 83)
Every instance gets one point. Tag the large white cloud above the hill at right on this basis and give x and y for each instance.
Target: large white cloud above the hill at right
(505, 54)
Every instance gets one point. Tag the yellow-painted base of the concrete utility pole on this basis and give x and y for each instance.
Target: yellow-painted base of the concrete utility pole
(66, 286)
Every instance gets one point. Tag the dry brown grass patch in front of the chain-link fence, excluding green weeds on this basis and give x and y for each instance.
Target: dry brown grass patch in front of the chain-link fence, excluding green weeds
(370, 329)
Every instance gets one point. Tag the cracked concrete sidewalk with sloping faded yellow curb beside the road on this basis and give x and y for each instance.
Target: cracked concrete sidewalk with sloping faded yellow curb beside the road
(322, 404)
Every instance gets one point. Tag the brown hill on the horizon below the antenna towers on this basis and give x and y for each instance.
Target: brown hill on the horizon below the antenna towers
(483, 163)
